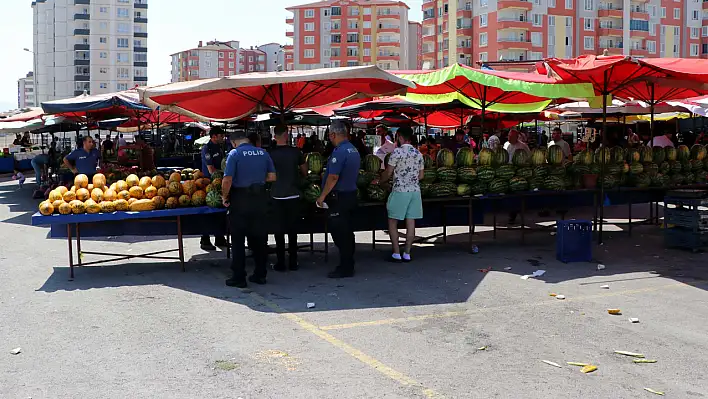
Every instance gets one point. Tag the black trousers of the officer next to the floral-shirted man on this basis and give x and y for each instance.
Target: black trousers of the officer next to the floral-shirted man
(340, 218)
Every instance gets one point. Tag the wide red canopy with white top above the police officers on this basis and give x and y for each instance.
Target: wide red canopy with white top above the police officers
(234, 97)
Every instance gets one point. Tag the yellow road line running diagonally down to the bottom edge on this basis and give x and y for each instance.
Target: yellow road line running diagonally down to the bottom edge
(350, 350)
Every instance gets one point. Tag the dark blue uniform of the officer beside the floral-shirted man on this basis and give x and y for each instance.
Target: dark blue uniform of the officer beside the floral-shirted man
(344, 162)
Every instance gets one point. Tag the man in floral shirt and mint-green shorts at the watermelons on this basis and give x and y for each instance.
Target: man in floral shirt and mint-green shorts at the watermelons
(404, 203)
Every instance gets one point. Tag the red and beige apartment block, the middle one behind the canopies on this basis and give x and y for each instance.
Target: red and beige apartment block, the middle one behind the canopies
(333, 33)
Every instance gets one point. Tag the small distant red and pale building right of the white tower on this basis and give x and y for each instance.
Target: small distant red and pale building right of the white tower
(213, 60)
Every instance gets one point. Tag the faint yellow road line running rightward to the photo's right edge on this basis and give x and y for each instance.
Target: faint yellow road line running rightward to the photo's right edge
(445, 315)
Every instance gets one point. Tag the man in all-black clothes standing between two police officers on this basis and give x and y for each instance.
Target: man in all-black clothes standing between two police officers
(290, 166)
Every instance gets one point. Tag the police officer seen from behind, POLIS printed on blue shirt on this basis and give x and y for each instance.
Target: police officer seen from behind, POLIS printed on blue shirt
(248, 169)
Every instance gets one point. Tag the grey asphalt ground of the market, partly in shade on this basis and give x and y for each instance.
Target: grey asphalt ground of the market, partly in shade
(143, 329)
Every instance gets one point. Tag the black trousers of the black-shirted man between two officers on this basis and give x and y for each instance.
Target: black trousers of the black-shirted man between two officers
(287, 216)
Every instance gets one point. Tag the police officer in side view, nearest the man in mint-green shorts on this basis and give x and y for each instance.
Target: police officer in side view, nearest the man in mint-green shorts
(339, 191)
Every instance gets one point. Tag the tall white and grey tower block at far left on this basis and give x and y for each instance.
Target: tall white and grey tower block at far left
(92, 46)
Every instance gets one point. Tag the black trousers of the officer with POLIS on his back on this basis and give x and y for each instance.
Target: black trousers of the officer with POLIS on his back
(248, 212)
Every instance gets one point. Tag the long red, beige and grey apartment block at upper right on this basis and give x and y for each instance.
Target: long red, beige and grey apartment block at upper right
(467, 31)
